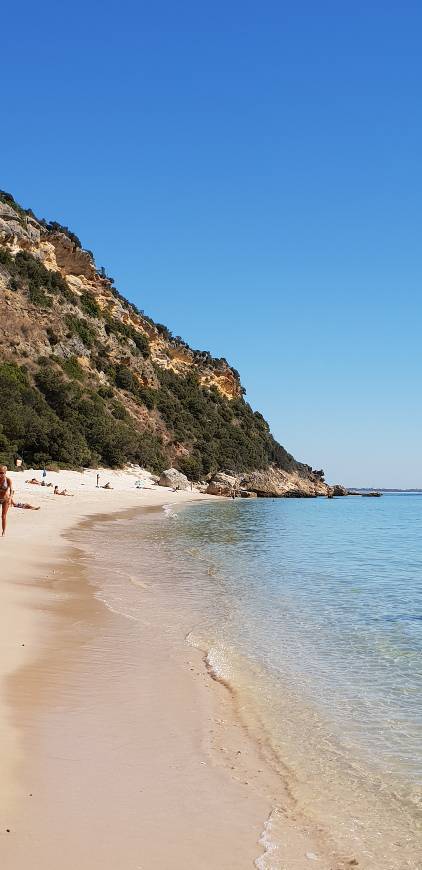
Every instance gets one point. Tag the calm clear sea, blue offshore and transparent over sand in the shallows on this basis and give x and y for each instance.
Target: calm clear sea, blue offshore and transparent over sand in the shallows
(311, 610)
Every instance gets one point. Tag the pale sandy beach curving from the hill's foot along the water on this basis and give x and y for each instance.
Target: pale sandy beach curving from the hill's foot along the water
(118, 751)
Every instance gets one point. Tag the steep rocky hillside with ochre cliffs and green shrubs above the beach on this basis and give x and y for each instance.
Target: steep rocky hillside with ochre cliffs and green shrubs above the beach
(87, 378)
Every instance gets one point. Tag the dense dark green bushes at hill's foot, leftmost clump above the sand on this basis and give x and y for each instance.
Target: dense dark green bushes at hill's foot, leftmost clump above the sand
(57, 420)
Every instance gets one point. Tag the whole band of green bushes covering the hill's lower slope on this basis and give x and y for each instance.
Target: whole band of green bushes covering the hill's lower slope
(57, 417)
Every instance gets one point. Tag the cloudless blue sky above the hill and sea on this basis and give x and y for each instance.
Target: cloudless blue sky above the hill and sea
(250, 175)
